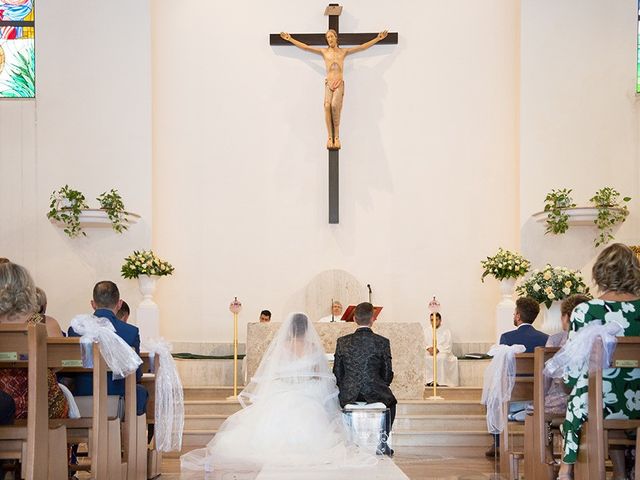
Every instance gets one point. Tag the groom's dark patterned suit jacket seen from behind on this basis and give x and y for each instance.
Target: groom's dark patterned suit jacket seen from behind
(362, 367)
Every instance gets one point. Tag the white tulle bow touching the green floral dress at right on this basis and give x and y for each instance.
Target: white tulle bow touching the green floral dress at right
(574, 357)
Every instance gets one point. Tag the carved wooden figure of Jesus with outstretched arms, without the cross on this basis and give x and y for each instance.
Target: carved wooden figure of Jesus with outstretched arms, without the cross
(334, 83)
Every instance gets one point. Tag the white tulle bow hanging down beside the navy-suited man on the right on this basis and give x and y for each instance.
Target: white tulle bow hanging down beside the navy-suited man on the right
(499, 378)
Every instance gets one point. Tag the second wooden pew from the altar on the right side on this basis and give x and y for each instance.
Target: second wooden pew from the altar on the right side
(536, 462)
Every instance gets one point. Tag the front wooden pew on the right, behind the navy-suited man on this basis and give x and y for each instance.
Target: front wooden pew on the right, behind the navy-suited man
(522, 391)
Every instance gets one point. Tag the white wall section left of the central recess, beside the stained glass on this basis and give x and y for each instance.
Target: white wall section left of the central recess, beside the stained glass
(90, 127)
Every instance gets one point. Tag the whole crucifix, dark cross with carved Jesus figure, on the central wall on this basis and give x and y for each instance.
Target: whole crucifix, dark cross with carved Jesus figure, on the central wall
(334, 83)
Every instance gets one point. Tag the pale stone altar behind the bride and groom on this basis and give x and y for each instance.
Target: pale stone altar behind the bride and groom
(407, 350)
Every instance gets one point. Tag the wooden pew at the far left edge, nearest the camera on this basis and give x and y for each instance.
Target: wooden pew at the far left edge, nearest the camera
(24, 346)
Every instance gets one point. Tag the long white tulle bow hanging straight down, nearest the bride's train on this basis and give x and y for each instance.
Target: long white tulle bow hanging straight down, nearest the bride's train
(169, 409)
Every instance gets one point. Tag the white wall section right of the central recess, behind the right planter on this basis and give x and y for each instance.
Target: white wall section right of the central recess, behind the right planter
(579, 112)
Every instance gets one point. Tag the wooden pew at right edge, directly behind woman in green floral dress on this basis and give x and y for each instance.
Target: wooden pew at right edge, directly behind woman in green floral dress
(595, 440)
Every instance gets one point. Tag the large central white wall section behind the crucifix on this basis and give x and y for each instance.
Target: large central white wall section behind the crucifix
(428, 168)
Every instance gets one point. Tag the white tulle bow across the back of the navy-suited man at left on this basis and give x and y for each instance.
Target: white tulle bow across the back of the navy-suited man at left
(121, 359)
